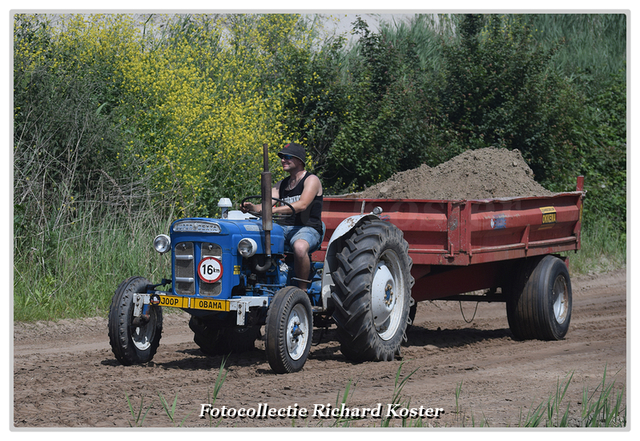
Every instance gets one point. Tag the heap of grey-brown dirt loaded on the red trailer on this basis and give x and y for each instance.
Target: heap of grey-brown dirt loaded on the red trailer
(475, 174)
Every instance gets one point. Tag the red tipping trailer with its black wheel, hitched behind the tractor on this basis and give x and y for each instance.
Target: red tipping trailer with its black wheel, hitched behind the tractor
(507, 246)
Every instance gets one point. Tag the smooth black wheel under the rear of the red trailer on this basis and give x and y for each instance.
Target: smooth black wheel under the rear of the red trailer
(539, 305)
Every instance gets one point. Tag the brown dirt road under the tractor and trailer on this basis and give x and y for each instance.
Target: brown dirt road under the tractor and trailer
(66, 376)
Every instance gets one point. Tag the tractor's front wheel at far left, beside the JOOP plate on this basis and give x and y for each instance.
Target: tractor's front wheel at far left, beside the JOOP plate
(133, 344)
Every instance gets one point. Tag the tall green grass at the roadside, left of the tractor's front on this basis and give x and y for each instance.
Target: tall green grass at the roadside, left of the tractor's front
(75, 270)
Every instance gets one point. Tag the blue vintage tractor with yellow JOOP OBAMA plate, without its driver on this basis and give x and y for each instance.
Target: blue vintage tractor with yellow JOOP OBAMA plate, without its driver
(232, 284)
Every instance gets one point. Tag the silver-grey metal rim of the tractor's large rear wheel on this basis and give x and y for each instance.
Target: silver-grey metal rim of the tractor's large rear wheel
(387, 299)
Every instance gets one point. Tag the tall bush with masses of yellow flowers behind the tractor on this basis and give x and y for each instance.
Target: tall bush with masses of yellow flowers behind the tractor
(196, 96)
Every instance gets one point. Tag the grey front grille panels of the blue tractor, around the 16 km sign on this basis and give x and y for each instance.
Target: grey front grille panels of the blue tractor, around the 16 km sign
(185, 269)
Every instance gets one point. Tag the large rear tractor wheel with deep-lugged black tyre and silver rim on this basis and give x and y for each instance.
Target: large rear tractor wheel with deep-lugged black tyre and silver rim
(372, 293)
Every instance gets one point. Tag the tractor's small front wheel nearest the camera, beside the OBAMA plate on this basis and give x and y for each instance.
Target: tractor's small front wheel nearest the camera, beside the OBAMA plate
(289, 330)
